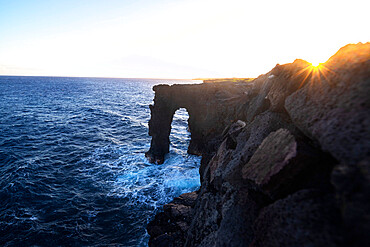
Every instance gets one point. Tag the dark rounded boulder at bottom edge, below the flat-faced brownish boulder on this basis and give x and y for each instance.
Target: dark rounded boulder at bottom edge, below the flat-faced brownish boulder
(305, 218)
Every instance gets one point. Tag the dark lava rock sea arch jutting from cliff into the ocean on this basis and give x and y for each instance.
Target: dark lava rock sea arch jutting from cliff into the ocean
(209, 113)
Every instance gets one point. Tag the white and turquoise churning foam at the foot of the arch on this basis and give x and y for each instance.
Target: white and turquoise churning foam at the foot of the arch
(155, 185)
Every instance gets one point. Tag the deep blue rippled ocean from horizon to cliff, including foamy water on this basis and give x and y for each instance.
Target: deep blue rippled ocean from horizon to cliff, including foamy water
(72, 164)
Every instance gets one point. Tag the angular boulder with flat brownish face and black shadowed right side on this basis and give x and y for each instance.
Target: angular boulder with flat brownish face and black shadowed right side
(282, 164)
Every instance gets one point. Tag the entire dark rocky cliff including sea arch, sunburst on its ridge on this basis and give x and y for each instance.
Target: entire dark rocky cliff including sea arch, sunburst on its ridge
(285, 157)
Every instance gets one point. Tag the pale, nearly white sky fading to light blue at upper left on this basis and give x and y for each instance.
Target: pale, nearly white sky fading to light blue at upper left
(173, 39)
